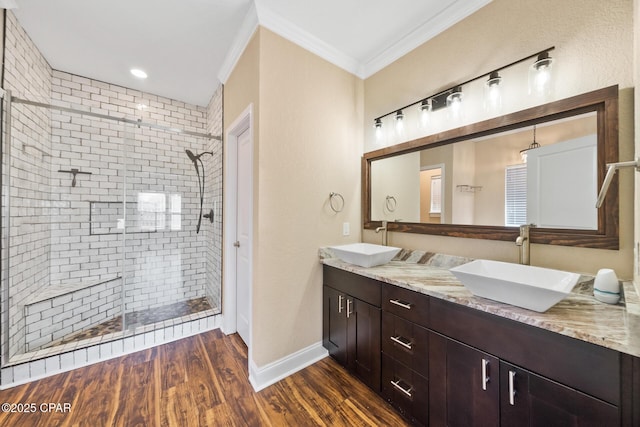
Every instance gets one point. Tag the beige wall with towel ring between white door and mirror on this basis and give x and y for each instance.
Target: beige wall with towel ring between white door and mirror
(308, 144)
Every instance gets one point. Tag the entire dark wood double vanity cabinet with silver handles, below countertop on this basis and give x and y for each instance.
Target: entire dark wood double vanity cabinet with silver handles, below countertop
(444, 364)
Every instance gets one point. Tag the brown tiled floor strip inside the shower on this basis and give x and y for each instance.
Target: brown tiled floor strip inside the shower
(139, 318)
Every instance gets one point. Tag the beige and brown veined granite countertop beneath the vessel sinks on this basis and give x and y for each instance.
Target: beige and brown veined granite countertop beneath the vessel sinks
(579, 315)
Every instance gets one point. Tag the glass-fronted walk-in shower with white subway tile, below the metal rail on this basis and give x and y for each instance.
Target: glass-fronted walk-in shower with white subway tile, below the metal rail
(98, 216)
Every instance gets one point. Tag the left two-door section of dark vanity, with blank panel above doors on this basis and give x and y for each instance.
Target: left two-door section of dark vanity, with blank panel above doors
(351, 323)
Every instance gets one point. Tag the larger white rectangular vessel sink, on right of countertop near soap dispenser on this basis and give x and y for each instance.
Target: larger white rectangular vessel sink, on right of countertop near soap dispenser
(534, 288)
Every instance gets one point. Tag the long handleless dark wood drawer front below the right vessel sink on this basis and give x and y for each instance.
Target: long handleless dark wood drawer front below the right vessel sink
(578, 364)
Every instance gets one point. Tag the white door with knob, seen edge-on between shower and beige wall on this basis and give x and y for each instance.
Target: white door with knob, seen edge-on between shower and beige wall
(243, 235)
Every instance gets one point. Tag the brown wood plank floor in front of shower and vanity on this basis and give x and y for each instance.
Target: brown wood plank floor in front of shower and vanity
(198, 381)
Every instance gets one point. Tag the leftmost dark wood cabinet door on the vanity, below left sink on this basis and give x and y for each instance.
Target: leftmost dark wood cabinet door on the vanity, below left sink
(334, 324)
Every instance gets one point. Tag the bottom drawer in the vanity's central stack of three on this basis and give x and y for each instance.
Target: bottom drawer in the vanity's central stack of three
(406, 390)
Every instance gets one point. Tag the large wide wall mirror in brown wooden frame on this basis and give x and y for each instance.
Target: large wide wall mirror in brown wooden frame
(542, 166)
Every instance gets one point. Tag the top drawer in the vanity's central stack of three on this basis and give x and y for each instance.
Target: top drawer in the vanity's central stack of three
(407, 304)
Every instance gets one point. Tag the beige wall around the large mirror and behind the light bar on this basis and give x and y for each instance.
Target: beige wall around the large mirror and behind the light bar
(594, 48)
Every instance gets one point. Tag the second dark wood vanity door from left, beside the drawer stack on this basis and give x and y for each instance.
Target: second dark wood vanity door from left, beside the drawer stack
(363, 341)
